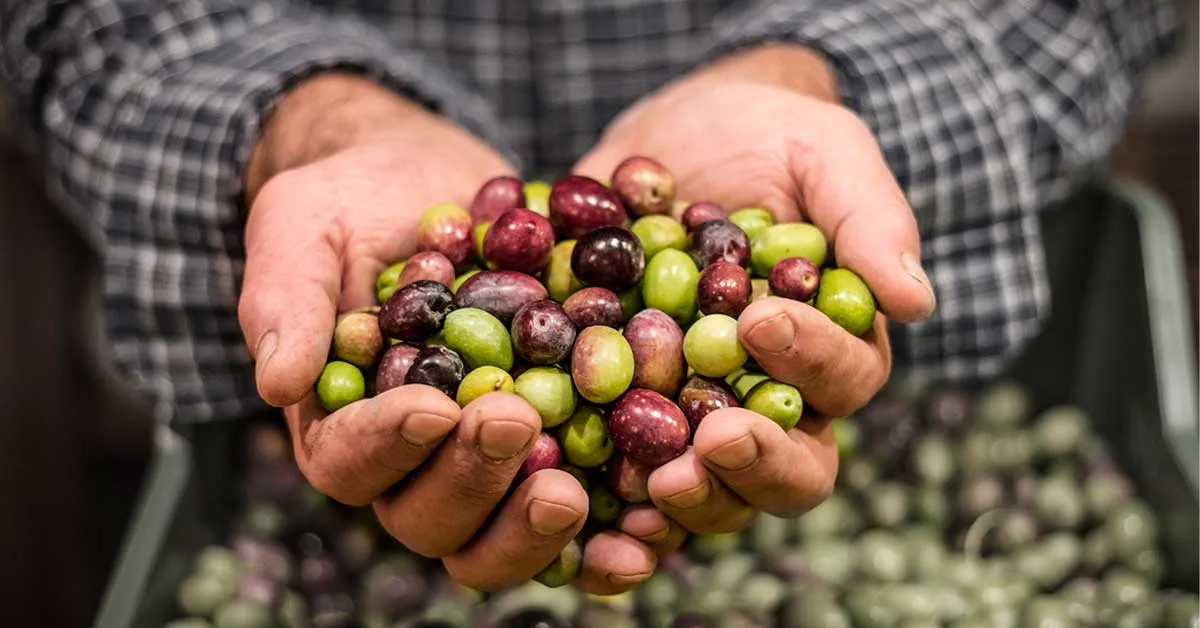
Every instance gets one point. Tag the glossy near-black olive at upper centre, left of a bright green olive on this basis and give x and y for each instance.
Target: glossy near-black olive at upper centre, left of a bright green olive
(610, 258)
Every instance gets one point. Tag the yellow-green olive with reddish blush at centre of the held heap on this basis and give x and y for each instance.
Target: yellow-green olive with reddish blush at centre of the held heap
(602, 364)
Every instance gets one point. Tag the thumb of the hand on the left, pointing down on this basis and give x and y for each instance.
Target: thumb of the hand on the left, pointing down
(291, 290)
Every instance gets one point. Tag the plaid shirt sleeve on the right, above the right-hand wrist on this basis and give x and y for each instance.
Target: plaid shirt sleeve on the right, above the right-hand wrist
(986, 112)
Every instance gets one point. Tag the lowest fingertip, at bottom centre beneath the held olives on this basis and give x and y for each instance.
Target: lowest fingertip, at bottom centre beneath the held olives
(615, 563)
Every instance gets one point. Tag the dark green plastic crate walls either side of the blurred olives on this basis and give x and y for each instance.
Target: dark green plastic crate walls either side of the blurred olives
(1119, 344)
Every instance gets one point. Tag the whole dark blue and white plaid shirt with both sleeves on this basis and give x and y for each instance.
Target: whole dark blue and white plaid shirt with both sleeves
(147, 110)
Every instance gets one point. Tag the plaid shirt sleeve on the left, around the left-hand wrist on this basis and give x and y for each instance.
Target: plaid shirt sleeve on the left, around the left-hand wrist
(146, 113)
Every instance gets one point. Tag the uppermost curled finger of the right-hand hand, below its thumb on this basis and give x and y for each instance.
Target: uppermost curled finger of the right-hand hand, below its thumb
(836, 372)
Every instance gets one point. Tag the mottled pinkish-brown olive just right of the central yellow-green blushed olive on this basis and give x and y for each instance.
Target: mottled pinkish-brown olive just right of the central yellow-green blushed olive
(657, 342)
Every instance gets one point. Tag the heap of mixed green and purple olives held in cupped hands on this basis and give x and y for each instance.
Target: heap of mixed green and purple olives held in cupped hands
(611, 309)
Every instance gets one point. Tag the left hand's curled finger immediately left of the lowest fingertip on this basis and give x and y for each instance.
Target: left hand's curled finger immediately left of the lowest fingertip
(536, 524)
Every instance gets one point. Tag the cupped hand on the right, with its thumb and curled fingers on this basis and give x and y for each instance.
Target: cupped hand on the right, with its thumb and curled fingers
(764, 129)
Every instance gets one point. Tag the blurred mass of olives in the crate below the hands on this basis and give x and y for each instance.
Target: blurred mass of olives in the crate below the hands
(952, 511)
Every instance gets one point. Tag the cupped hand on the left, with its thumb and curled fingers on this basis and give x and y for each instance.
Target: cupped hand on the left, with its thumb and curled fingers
(337, 187)
